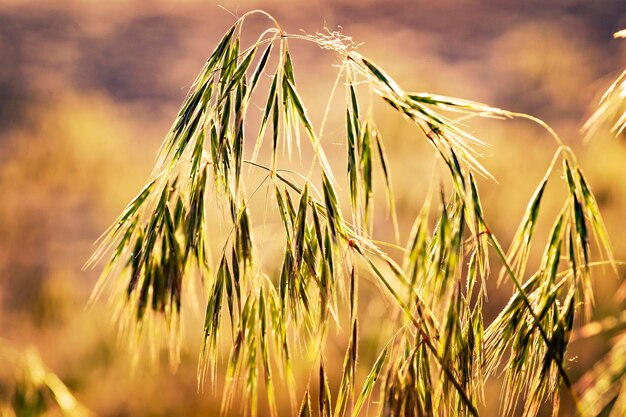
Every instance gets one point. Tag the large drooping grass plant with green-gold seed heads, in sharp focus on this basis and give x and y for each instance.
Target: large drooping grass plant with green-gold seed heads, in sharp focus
(441, 352)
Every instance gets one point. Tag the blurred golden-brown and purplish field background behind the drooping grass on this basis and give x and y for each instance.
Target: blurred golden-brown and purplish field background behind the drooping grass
(88, 90)
